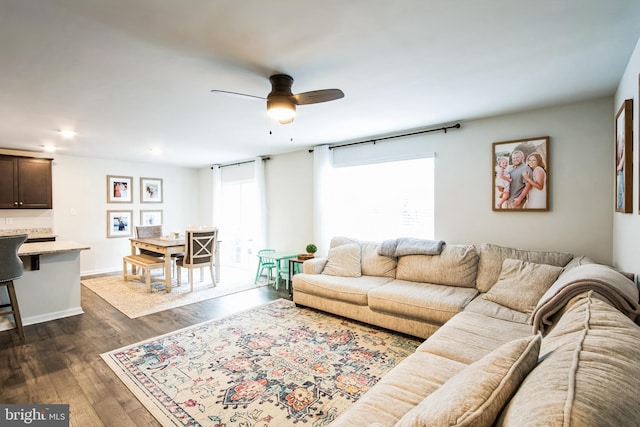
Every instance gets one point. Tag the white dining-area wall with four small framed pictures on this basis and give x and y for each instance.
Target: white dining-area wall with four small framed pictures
(80, 206)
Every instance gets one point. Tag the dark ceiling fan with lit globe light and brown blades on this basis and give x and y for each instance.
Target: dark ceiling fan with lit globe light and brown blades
(281, 102)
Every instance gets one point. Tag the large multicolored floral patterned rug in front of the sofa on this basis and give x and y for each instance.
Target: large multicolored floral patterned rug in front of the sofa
(275, 365)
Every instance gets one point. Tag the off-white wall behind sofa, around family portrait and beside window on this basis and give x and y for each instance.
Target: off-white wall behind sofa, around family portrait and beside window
(580, 182)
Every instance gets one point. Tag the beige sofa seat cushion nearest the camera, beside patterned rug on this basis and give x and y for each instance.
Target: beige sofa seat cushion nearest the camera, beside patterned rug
(398, 391)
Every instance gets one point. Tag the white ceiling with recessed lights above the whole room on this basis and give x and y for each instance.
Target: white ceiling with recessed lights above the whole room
(130, 75)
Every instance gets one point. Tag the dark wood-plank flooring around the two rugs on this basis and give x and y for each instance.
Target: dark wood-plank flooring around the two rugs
(59, 361)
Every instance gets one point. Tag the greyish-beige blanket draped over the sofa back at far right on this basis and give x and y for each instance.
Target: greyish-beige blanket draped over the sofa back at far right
(621, 292)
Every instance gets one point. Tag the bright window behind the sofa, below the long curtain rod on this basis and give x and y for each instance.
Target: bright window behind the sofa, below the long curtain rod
(382, 200)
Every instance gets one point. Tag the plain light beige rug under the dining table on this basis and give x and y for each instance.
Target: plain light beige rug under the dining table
(133, 298)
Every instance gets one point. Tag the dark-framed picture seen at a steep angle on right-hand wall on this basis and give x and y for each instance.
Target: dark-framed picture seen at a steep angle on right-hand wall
(623, 158)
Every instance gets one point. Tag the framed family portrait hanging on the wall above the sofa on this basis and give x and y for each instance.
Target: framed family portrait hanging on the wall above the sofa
(520, 175)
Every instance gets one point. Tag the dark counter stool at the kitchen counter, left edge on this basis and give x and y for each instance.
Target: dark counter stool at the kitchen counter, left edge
(11, 268)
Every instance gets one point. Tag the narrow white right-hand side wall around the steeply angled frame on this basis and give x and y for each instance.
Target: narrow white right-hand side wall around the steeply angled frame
(626, 227)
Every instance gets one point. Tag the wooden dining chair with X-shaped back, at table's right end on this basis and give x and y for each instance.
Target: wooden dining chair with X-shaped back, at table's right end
(200, 245)
